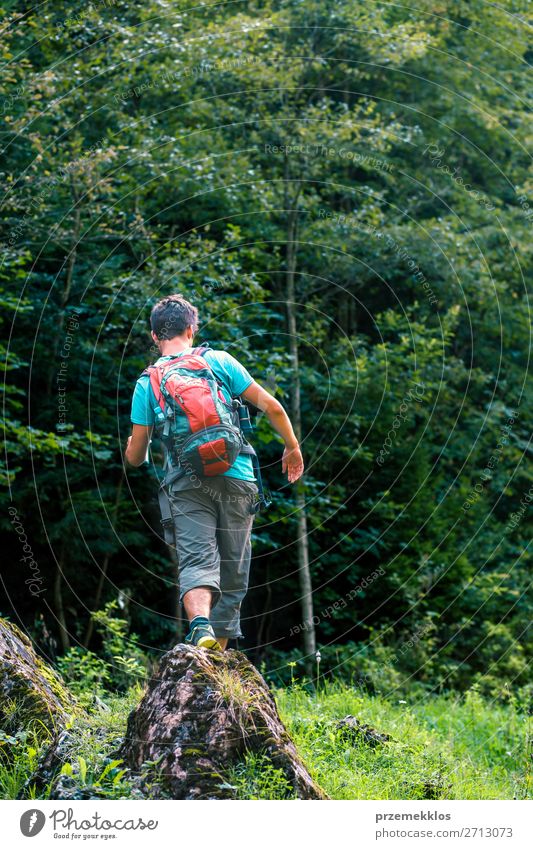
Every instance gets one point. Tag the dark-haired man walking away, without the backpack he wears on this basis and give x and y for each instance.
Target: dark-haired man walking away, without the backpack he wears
(212, 516)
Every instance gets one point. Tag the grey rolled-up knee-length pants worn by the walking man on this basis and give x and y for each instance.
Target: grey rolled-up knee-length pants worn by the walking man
(213, 526)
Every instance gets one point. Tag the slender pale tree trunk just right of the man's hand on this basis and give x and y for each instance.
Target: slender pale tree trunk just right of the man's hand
(304, 573)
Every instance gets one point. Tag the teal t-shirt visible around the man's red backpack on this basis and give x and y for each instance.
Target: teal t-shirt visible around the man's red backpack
(235, 380)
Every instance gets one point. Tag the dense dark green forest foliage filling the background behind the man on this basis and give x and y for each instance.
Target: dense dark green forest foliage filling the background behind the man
(378, 153)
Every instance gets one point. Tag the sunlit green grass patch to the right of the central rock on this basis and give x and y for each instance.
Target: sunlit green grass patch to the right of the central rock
(447, 747)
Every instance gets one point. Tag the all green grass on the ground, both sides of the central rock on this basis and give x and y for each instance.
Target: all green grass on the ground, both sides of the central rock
(445, 747)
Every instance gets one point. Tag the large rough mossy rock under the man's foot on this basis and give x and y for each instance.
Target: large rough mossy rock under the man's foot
(202, 712)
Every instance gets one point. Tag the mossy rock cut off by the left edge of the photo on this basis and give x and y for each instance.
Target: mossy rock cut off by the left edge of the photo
(32, 695)
